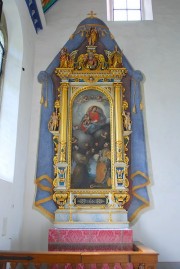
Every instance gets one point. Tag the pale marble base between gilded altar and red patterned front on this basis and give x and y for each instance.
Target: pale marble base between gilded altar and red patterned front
(91, 218)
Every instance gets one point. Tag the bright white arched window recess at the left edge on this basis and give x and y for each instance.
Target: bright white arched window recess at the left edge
(11, 33)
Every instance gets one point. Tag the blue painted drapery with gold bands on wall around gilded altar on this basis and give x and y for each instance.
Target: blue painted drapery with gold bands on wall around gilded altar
(45, 173)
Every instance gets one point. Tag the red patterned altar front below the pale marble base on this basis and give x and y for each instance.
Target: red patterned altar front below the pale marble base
(90, 239)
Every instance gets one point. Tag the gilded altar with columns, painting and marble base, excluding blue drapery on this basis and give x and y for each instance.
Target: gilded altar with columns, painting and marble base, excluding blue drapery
(91, 135)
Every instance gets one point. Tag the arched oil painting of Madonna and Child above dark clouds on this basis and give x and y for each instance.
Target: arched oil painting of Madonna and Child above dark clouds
(91, 141)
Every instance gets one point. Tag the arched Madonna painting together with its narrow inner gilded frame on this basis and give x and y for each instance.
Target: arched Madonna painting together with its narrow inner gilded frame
(91, 140)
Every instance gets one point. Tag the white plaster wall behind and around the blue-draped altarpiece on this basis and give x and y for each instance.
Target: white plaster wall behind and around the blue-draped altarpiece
(153, 48)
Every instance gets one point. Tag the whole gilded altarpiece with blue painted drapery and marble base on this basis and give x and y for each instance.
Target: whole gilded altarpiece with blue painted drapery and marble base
(92, 166)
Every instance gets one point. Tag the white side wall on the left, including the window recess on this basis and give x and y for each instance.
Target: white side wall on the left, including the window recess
(17, 105)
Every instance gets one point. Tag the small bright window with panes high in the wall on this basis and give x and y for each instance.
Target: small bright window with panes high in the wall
(129, 10)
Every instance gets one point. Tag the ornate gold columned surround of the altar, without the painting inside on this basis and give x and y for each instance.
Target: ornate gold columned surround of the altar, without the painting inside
(78, 76)
